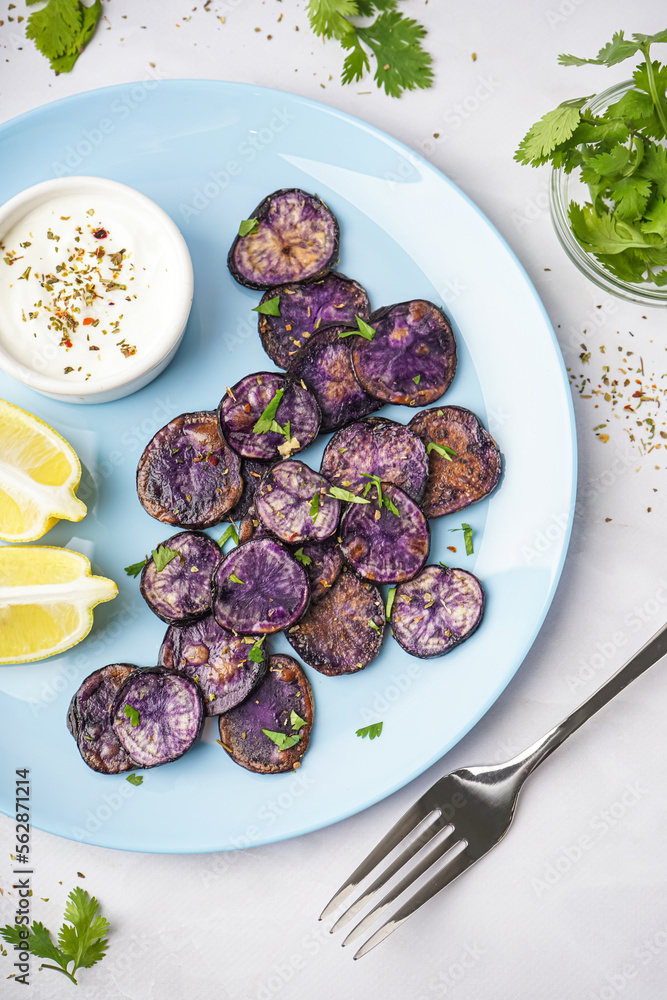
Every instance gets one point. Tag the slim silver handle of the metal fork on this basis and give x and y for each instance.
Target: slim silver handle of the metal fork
(650, 653)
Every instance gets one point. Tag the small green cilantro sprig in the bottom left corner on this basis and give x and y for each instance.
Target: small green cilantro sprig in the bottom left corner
(81, 939)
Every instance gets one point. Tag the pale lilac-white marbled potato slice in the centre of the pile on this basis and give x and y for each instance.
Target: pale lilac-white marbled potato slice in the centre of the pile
(284, 501)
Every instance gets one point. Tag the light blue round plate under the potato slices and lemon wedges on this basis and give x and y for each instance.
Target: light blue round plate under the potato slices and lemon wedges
(208, 152)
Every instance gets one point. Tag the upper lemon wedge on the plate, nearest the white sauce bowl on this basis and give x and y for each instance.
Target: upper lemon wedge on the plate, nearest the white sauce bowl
(39, 473)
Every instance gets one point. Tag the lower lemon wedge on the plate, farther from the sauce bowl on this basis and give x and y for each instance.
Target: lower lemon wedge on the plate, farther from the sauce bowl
(47, 596)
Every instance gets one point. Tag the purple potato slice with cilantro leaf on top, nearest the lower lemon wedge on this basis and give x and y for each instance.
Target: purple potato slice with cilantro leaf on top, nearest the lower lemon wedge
(181, 591)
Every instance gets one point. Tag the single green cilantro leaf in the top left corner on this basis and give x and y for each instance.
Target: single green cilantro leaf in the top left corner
(62, 29)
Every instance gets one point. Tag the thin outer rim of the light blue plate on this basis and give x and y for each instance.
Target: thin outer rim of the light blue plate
(412, 155)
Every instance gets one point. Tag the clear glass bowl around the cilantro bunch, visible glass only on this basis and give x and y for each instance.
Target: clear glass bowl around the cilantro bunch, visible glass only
(568, 187)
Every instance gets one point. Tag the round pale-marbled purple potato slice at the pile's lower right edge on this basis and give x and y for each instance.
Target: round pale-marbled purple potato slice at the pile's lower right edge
(436, 610)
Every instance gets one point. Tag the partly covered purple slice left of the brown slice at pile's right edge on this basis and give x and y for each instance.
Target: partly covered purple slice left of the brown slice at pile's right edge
(377, 447)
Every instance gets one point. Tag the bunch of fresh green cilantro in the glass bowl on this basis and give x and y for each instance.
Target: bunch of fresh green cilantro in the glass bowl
(621, 156)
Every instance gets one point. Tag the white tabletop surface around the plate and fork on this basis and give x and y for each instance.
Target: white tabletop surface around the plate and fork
(572, 904)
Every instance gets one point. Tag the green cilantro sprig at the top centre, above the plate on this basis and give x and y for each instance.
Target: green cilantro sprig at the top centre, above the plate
(393, 39)
